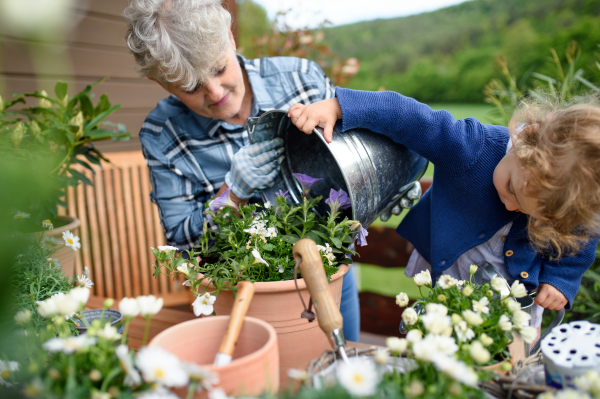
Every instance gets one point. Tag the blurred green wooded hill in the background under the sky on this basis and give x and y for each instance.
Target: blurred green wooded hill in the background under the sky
(449, 55)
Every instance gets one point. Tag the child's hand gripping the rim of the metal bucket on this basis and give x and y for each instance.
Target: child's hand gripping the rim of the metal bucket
(322, 113)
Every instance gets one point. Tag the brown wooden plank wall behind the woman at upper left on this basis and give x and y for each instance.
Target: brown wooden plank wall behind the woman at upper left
(95, 48)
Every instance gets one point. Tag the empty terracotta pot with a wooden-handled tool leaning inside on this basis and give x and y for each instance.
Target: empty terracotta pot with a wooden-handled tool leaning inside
(255, 365)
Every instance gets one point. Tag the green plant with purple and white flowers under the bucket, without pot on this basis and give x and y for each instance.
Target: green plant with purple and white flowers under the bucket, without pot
(255, 242)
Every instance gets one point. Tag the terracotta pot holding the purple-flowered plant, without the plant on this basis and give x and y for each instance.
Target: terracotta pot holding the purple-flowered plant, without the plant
(277, 303)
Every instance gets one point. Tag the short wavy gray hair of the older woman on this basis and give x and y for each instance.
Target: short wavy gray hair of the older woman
(177, 41)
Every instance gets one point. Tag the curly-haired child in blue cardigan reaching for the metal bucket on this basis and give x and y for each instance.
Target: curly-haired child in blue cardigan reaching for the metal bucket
(524, 198)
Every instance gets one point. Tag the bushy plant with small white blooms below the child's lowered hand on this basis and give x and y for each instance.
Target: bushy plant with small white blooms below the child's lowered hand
(479, 317)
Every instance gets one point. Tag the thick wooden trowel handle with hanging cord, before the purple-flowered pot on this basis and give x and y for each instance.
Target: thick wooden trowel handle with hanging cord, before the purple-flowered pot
(313, 273)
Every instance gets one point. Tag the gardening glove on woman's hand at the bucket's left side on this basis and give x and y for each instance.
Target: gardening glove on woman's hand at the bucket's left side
(254, 167)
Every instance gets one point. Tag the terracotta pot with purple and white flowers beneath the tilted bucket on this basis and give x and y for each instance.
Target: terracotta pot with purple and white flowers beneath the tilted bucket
(254, 243)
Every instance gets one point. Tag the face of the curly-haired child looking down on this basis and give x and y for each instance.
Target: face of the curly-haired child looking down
(510, 179)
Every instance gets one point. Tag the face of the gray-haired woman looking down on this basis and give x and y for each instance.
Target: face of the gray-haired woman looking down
(222, 94)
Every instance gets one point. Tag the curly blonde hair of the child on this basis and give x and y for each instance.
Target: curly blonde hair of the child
(559, 145)
